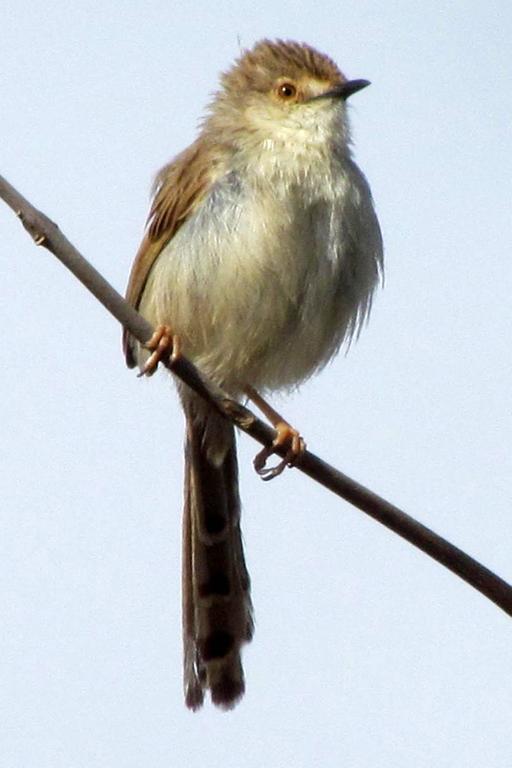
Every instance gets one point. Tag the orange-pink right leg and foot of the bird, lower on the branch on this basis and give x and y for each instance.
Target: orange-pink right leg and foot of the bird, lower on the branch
(287, 437)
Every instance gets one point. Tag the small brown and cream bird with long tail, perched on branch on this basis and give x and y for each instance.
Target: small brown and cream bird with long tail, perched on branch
(260, 259)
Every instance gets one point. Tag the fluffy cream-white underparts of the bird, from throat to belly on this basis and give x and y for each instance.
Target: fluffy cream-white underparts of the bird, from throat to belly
(276, 268)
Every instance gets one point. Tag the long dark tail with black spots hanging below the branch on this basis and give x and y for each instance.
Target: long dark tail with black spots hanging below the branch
(217, 611)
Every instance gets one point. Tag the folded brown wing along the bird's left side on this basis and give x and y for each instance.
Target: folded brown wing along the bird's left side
(179, 188)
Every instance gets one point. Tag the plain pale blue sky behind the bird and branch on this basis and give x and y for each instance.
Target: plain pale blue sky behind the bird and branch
(366, 652)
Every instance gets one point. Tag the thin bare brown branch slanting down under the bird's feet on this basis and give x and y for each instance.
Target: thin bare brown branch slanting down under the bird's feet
(46, 233)
